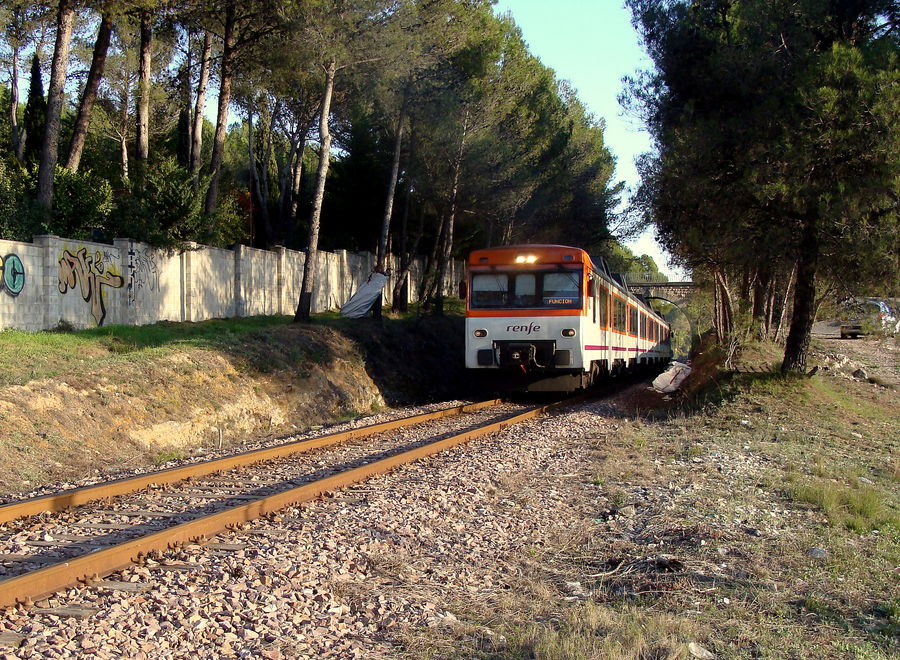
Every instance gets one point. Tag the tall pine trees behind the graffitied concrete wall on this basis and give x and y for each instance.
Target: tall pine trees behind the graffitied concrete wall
(446, 132)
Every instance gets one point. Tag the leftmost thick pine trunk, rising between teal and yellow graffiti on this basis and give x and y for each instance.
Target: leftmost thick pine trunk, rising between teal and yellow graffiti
(50, 146)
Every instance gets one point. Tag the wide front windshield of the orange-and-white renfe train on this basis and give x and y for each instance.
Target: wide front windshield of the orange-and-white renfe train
(557, 289)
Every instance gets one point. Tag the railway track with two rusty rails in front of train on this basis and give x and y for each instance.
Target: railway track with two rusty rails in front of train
(55, 541)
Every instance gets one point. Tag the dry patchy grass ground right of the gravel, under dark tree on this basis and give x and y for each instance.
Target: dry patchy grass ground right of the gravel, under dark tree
(731, 496)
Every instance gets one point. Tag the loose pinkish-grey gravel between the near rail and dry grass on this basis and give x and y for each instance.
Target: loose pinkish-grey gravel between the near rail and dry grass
(342, 577)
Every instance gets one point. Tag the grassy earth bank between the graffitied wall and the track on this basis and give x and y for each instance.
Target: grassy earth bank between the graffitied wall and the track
(120, 398)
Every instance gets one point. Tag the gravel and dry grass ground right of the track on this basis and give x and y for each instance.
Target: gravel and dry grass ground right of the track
(761, 520)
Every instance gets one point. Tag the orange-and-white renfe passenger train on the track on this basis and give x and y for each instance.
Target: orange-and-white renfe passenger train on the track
(551, 318)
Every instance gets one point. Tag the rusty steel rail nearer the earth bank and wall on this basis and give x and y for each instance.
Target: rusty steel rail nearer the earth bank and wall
(65, 499)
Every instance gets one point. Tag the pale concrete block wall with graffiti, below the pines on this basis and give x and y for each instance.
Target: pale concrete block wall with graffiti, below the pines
(55, 281)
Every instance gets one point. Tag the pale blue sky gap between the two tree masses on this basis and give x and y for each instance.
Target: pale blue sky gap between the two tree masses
(591, 44)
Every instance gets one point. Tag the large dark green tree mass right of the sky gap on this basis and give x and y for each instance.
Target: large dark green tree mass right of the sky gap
(776, 166)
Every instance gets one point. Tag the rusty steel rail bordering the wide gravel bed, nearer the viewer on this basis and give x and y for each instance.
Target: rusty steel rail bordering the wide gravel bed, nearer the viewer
(51, 579)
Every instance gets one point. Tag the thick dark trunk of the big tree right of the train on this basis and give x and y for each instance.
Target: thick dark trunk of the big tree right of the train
(797, 344)
